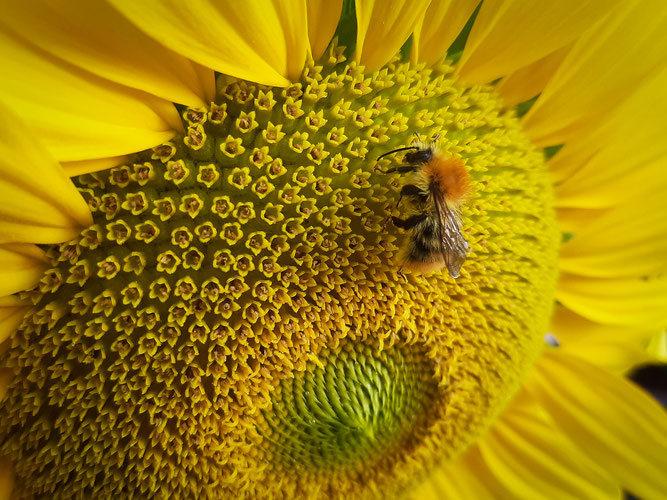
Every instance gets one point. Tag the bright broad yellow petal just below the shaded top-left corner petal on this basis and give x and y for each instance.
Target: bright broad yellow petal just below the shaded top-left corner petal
(77, 115)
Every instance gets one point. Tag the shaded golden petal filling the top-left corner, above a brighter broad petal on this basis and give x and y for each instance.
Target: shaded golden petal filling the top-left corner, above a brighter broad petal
(114, 48)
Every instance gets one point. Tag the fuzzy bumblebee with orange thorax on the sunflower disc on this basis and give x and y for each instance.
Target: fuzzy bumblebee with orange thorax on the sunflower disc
(438, 186)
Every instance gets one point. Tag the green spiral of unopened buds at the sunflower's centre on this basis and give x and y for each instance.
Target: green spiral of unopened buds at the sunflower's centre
(357, 407)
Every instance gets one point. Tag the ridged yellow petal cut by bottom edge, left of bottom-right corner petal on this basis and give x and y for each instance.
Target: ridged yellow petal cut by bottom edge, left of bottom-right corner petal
(533, 461)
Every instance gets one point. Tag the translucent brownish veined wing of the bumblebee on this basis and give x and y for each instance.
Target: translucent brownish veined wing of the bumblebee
(454, 246)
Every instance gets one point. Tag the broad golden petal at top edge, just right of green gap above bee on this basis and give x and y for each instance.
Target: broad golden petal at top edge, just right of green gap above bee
(508, 35)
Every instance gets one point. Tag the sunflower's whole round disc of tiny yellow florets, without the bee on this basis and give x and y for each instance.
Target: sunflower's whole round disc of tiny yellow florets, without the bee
(233, 324)
